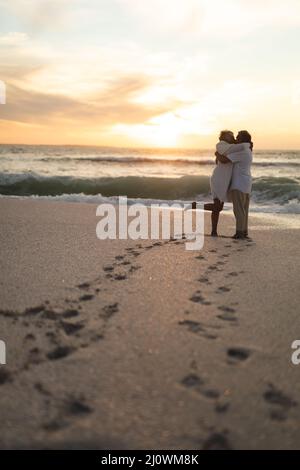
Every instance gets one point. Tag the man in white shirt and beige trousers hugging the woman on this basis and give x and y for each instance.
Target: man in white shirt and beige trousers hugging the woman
(241, 183)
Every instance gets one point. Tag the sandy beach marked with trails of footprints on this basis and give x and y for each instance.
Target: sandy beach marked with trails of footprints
(144, 345)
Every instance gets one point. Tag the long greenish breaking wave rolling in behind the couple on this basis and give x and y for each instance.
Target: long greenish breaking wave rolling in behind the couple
(279, 189)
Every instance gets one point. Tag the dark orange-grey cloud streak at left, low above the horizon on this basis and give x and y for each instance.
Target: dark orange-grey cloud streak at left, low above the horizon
(109, 107)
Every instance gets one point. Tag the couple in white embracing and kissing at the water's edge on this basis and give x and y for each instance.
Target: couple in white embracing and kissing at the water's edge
(231, 180)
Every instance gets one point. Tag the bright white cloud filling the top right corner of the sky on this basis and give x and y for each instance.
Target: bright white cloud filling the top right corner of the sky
(213, 18)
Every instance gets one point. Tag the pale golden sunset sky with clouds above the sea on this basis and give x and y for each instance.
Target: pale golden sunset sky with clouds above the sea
(140, 73)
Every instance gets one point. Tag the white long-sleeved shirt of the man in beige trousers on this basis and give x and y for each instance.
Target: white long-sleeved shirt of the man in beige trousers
(241, 157)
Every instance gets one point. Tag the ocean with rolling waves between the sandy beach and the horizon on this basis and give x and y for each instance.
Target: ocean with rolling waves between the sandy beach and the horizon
(97, 174)
